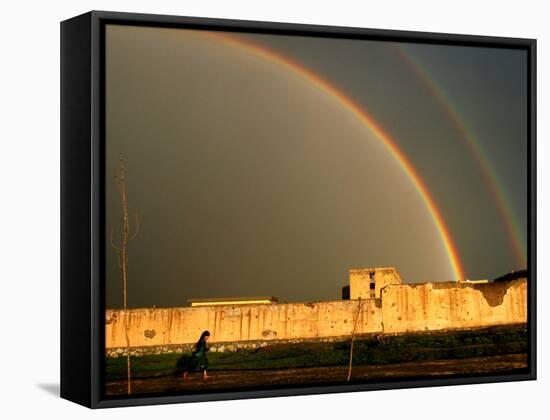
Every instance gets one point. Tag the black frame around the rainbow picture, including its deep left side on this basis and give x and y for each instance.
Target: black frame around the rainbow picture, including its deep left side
(82, 200)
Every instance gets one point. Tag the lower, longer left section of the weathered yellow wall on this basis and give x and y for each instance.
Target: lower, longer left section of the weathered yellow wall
(165, 326)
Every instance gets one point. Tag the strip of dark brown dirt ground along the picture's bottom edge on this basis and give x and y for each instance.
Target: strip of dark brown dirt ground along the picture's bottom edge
(227, 379)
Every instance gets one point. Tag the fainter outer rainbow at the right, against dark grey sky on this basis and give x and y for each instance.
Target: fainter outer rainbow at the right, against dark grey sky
(488, 171)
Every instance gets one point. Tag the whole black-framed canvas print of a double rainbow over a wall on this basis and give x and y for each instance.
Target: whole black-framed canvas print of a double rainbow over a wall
(255, 209)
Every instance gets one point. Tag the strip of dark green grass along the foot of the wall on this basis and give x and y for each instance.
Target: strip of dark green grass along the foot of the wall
(374, 349)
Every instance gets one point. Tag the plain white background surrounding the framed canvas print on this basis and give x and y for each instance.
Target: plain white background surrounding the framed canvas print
(29, 211)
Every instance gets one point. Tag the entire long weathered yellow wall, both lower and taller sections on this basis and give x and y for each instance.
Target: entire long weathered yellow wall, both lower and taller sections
(403, 308)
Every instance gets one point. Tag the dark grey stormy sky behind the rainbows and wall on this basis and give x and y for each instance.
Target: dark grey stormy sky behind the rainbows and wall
(249, 181)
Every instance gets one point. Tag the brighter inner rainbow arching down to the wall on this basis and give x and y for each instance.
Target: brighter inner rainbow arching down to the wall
(368, 121)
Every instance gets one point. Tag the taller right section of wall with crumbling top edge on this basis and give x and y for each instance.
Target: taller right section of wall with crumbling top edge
(436, 306)
